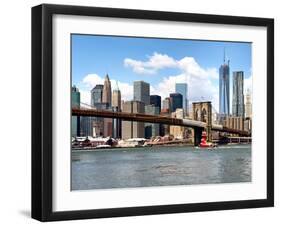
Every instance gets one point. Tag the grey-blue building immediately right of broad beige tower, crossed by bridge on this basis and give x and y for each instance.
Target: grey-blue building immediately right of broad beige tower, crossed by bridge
(152, 129)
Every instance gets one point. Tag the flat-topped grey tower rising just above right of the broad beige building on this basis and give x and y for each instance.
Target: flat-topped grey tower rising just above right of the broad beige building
(142, 92)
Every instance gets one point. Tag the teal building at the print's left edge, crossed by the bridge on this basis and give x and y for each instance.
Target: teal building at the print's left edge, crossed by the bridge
(75, 120)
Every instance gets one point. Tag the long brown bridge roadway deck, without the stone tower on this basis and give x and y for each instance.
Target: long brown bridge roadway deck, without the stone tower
(139, 117)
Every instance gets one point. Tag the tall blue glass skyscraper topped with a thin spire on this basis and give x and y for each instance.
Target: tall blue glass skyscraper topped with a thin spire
(224, 88)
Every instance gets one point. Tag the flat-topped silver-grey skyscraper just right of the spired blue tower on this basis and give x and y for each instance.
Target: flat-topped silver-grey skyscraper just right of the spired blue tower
(238, 94)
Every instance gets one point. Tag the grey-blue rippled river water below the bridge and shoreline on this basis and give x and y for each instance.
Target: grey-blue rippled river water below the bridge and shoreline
(160, 166)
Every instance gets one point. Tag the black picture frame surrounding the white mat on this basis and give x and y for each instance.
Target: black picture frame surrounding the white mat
(42, 111)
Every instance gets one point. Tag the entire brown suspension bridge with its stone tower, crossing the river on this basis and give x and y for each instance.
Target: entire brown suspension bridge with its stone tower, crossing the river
(201, 119)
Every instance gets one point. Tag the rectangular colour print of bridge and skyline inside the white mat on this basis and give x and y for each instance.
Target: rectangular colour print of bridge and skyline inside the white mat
(130, 112)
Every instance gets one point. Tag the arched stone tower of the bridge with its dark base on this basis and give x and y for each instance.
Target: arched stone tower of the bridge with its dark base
(202, 111)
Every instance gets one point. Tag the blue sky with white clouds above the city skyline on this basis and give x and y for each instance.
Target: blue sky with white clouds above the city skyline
(161, 62)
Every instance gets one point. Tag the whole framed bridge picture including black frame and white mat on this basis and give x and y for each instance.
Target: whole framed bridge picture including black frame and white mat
(146, 112)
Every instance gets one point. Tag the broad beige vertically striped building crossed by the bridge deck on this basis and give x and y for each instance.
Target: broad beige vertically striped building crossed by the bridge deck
(133, 129)
